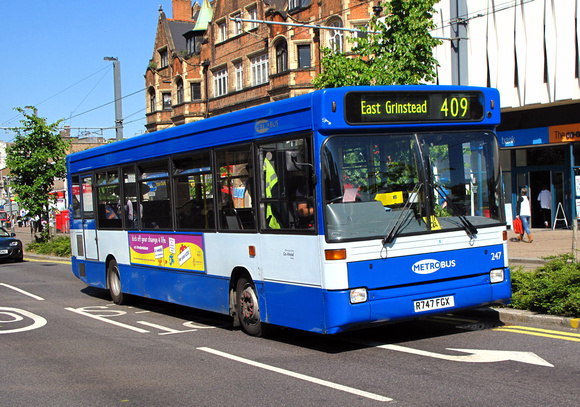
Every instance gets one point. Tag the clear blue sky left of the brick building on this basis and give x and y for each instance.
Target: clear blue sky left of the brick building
(54, 60)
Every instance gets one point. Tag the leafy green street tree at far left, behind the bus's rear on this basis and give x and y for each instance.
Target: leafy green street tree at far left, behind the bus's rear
(36, 158)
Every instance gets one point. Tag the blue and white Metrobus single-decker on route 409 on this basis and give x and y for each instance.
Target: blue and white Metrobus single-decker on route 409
(329, 211)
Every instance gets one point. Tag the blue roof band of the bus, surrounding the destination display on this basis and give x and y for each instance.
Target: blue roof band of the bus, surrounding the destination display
(322, 111)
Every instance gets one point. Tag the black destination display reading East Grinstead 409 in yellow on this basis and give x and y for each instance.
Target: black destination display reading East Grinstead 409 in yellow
(412, 107)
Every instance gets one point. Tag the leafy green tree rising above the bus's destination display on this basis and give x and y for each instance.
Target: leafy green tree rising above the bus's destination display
(396, 50)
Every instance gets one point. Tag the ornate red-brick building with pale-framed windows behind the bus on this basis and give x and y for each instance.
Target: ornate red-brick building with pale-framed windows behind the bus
(205, 64)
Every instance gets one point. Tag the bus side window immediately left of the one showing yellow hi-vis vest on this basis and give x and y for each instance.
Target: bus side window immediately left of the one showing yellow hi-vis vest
(235, 189)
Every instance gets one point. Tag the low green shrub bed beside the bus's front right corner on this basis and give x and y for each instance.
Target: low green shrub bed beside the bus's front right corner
(553, 288)
